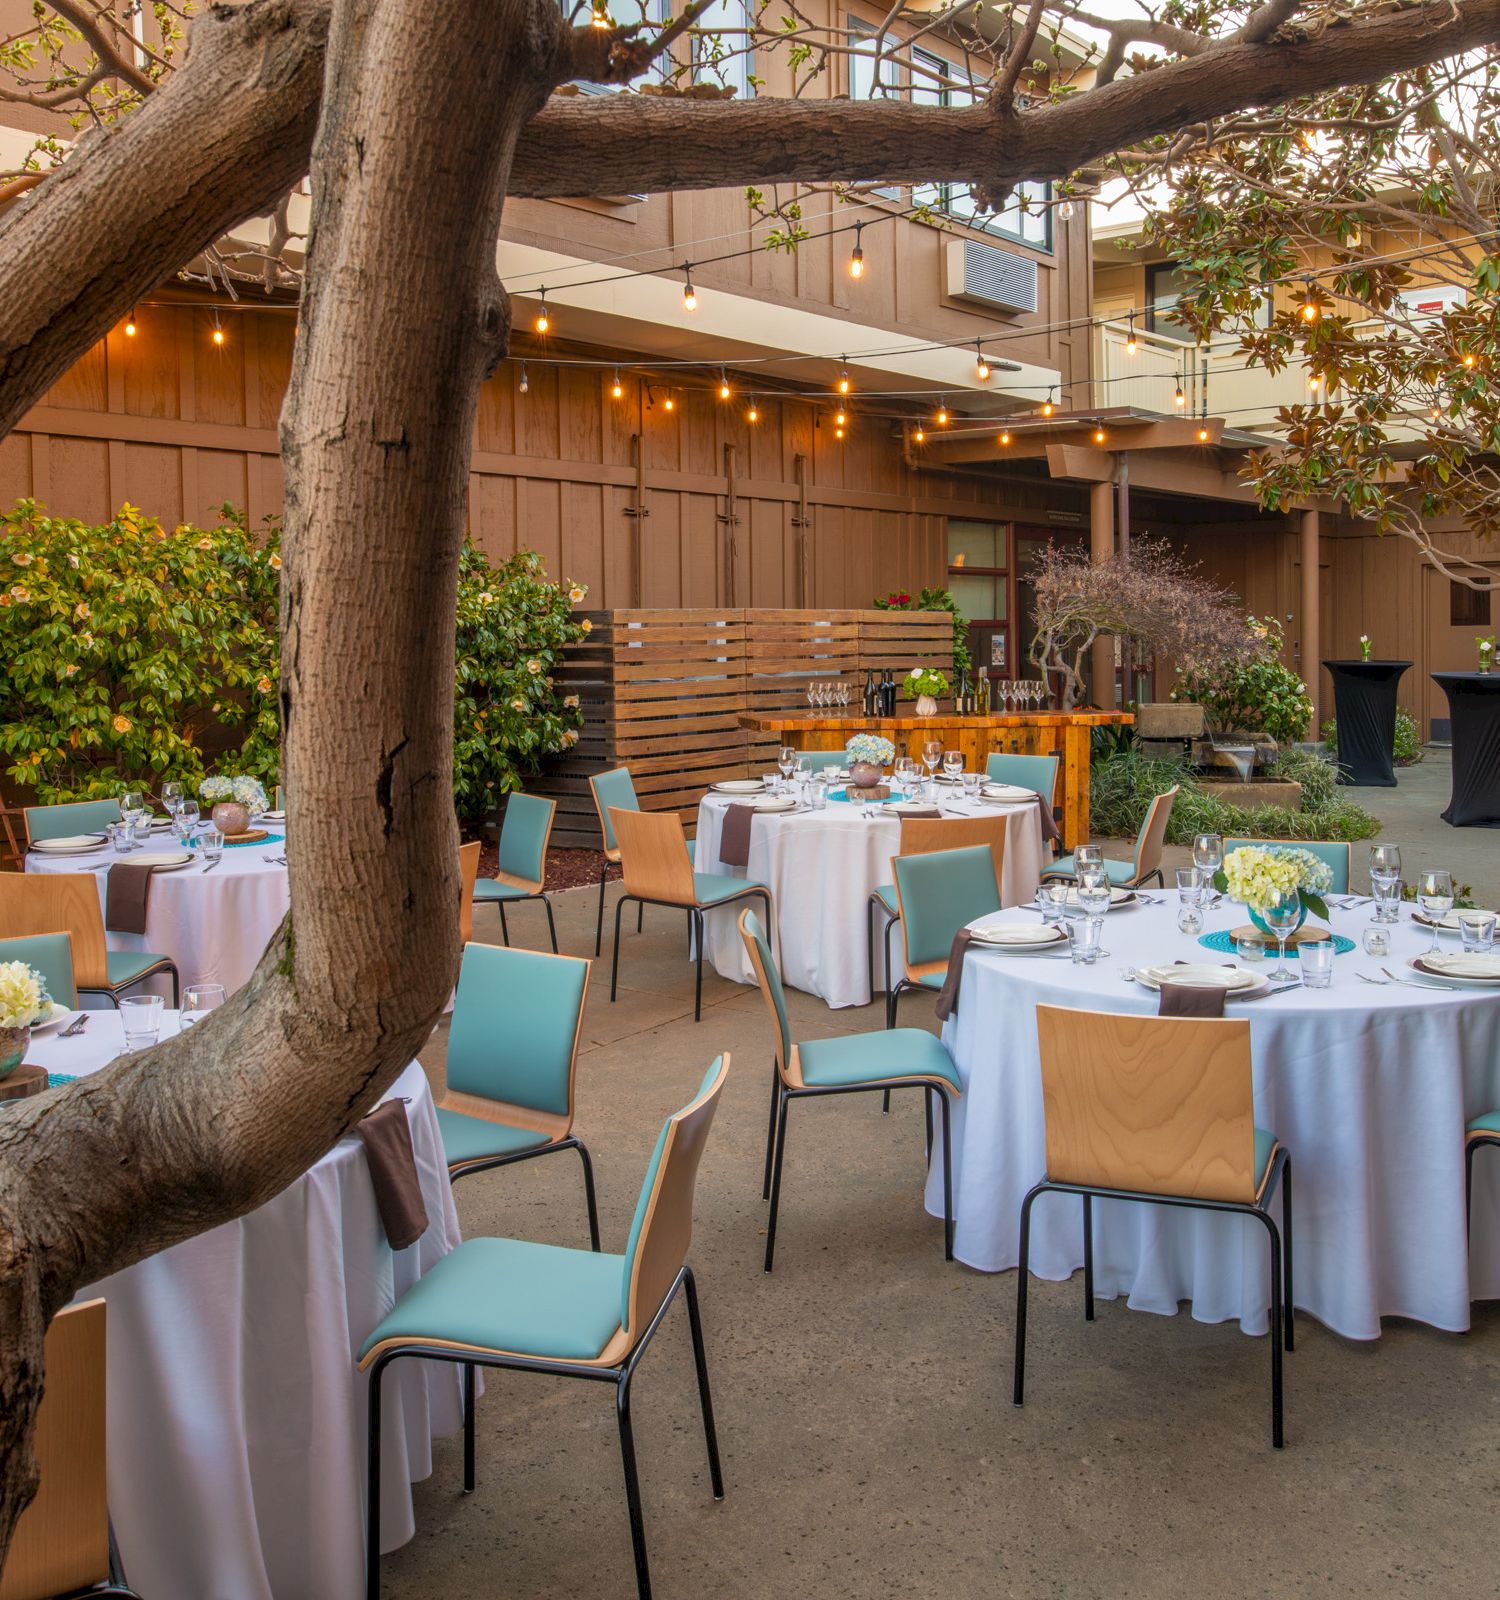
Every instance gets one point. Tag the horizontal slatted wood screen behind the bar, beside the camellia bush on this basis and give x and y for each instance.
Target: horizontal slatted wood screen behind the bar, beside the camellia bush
(663, 694)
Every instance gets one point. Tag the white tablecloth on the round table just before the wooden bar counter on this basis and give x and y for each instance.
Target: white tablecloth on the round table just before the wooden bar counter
(821, 870)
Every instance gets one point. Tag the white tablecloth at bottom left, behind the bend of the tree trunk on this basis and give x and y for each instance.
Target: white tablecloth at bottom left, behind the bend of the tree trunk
(236, 1414)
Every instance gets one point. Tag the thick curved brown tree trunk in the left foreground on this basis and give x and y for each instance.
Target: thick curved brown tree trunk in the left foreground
(404, 319)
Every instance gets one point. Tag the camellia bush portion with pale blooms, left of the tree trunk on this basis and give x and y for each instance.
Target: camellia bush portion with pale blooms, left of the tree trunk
(122, 646)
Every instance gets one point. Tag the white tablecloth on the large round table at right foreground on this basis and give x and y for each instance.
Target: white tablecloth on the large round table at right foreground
(1368, 1089)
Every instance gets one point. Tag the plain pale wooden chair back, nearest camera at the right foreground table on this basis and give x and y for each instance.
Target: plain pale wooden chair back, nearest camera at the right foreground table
(1154, 1105)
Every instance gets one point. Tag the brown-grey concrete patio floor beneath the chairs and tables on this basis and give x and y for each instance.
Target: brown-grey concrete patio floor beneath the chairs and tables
(863, 1390)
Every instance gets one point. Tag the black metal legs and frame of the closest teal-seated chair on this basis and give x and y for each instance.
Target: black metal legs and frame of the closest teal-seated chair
(620, 1377)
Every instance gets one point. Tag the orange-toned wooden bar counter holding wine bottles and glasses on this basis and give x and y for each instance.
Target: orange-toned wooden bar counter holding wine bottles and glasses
(1021, 734)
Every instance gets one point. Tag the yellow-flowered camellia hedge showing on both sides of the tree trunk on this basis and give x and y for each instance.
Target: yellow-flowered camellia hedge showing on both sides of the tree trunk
(132, 655)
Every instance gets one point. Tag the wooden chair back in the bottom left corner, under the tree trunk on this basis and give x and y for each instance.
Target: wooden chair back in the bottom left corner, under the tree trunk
(62, 1542)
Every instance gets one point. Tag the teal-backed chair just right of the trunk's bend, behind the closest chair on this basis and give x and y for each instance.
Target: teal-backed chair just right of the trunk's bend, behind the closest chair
(513, 1063)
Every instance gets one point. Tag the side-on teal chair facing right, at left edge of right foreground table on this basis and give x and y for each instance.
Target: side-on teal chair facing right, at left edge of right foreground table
(903, 1058)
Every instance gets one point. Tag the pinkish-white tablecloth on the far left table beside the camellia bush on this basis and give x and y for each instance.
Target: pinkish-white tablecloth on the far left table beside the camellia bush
(215, 926)
